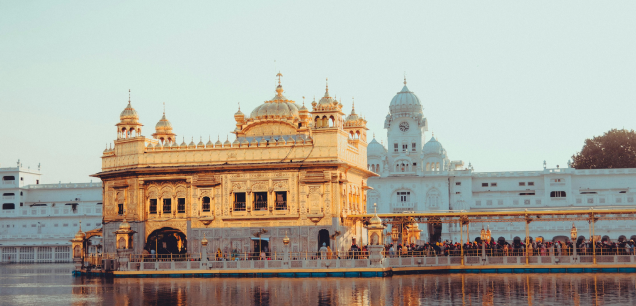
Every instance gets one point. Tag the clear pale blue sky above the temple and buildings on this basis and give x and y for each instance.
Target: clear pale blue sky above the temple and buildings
(504, 84)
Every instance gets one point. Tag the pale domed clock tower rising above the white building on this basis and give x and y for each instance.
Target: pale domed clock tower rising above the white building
(405, 125)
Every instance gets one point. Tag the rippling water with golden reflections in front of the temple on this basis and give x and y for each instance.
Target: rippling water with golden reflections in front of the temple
(52, 284)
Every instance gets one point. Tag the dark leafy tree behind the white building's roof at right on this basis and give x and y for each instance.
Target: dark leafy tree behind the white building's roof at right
(614, 149)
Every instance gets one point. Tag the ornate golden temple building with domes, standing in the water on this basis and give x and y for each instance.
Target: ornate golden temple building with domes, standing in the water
(289, 171)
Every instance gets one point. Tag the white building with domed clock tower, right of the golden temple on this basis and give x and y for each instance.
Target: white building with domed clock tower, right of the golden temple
(423, 178)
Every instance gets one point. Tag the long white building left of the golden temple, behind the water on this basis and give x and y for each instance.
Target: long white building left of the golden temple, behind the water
(38, 220)
